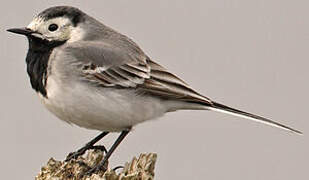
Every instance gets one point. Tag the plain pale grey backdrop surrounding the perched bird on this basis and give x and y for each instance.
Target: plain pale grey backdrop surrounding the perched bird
(252, 55)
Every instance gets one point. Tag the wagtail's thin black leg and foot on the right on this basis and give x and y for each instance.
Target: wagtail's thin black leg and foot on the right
(109, 153)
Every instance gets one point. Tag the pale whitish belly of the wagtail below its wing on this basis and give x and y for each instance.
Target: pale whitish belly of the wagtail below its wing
(104, 109)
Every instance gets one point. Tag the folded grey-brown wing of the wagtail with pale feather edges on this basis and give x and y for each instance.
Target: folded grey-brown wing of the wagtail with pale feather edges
(111, 66)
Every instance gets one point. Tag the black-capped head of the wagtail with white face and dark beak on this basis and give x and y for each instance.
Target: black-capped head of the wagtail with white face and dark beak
(55, 25)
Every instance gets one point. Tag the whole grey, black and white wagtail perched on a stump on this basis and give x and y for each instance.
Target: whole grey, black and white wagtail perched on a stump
(90, 75)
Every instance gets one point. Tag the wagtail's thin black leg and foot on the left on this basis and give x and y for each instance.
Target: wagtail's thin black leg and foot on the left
(89, 145)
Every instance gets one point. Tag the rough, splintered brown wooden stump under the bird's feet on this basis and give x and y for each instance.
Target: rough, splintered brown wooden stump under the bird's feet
(141, 168)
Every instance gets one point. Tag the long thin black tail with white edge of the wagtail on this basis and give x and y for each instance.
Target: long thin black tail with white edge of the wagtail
(228, 110)
